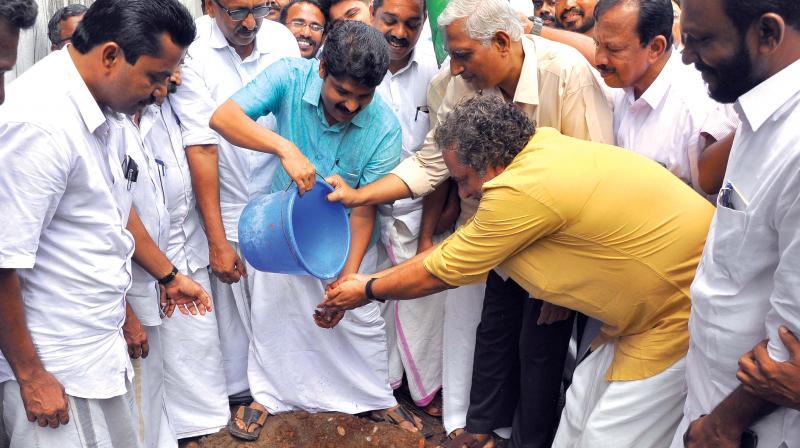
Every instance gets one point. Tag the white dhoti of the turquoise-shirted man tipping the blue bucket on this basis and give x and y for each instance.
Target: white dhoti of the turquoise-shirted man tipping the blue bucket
(295, 365)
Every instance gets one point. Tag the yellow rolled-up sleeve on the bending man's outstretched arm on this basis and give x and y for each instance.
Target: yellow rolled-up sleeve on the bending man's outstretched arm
(507, 222)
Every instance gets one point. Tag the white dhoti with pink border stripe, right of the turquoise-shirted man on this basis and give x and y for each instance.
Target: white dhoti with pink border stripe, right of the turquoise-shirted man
(415, 328)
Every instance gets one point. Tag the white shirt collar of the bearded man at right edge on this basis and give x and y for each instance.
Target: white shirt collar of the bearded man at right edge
(764, 100)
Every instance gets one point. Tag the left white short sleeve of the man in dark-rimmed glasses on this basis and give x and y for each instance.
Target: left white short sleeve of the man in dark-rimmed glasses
(194, 104)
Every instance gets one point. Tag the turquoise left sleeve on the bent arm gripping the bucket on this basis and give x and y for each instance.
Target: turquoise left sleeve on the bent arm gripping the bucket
(263, 94)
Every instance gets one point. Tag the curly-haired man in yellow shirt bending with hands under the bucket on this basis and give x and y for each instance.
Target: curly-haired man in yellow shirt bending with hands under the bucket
(583, 225)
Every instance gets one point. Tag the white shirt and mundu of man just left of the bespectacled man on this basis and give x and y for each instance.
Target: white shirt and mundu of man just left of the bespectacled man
(195, 389)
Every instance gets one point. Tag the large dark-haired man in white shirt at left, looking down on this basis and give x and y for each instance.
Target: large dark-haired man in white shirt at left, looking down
(65, 255)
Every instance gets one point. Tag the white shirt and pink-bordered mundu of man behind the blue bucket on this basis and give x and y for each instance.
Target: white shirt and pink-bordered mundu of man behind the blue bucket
(414, 327)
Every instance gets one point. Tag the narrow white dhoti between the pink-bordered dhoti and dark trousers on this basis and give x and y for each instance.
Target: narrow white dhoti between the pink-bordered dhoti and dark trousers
(462, 314)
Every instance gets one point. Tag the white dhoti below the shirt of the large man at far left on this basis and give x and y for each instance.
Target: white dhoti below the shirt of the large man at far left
(107, 423)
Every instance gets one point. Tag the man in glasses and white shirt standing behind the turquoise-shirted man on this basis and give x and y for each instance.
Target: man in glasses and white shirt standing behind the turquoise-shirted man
(237, 45)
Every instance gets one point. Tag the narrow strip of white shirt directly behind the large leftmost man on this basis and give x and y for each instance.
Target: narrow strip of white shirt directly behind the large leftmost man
(149, 200)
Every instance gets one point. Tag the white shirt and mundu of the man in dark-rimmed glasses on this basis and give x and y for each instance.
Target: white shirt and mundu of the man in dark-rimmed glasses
(212, 72)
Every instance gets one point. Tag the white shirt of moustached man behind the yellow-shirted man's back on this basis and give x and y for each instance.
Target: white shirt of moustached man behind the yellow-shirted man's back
(668, 120)
